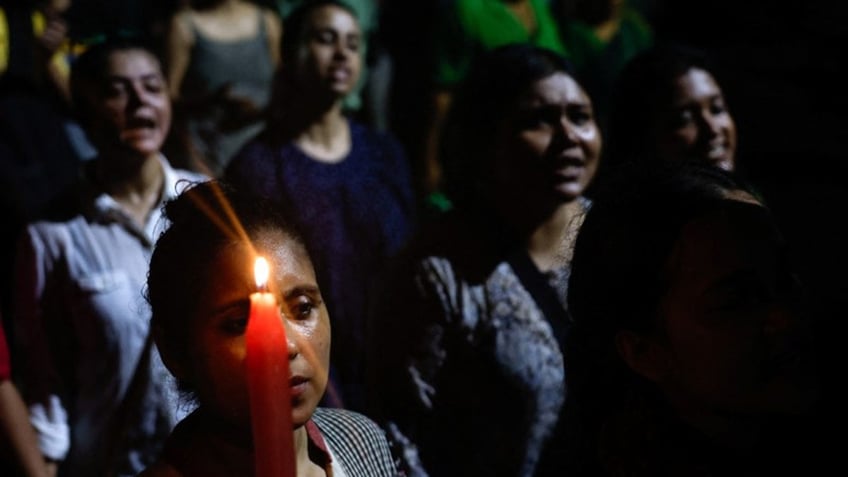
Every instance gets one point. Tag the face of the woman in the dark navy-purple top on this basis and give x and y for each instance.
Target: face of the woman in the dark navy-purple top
(330, 55)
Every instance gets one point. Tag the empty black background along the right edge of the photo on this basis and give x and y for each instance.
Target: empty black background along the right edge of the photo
(783, 67)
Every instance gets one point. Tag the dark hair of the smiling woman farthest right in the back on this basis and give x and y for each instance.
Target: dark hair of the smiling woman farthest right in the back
(645, 87)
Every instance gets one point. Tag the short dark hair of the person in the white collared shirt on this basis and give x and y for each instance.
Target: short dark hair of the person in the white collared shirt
(90, 68)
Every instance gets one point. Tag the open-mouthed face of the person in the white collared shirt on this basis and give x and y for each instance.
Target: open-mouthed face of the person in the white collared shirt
(130, 110)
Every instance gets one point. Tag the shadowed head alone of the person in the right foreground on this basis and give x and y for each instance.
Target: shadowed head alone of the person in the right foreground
(683, 298)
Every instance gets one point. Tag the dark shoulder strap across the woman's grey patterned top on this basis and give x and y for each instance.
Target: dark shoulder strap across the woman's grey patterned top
(544, 296)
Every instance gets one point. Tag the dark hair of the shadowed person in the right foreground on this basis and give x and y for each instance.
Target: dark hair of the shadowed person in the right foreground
(629, 232)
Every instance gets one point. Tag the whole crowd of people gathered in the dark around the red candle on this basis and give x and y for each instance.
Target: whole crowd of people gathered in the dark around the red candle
(524, 243)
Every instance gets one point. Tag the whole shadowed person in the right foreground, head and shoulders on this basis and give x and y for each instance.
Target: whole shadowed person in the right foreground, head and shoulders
(689, 352)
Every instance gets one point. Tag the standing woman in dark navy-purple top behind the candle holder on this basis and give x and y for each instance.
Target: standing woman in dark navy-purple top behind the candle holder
(351, 186)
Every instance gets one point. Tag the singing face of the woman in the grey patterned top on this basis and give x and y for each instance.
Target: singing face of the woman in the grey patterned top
(550, 143)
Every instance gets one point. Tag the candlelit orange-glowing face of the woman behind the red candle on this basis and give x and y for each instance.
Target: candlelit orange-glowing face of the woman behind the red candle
(216, 357)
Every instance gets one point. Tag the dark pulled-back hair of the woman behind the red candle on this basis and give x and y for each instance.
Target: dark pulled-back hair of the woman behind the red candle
(204, 219)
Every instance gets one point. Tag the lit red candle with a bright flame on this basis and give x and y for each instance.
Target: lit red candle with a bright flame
(267, 363)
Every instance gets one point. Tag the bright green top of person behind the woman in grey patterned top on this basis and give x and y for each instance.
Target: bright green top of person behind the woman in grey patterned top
(472, 26)
